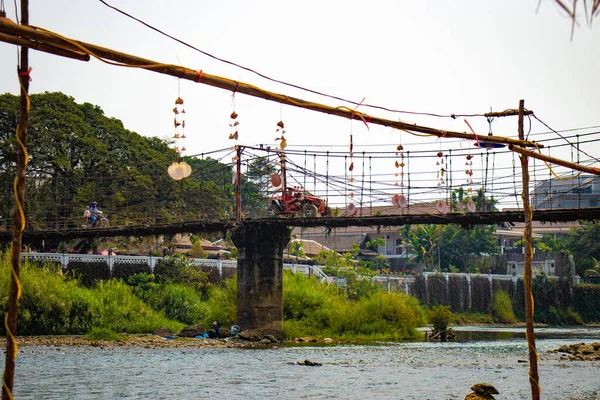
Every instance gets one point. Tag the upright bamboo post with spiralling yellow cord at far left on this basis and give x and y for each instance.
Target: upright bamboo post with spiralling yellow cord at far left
(10, 320)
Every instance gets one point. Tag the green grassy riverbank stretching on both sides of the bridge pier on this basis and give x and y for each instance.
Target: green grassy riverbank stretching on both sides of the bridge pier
(54, 304)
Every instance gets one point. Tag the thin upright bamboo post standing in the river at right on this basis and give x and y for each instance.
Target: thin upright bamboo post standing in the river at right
(528, 236)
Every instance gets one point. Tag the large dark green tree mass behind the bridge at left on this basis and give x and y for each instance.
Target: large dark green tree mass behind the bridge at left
(77, 154)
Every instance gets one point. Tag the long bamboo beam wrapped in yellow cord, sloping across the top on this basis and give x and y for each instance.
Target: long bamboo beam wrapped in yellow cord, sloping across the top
(44, 36)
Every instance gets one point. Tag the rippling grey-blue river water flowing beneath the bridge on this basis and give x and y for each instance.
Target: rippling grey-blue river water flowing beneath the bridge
(407, 370)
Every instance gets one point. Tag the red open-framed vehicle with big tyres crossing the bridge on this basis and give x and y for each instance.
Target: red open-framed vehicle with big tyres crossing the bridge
(292, 201)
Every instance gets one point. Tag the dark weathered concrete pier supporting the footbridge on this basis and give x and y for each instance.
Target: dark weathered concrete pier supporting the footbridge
(260, 276)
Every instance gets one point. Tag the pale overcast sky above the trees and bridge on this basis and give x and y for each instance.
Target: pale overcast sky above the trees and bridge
(461, 57)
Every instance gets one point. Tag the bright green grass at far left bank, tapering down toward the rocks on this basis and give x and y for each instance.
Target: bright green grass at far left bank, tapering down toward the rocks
(52, 304)
